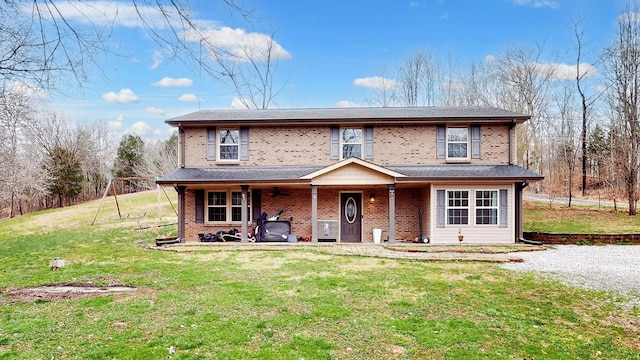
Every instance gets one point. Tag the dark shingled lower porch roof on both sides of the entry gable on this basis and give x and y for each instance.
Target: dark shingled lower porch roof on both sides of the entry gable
(292, 174)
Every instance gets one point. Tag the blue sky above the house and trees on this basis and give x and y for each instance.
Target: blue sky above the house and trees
(328, 47)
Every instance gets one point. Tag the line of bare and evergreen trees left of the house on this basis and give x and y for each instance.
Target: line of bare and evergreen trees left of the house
(46, 161)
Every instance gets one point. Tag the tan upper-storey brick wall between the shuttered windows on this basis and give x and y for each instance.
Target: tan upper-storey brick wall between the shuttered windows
(305, 145)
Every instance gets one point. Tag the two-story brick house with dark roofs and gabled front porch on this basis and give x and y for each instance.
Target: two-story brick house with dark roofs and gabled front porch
(421, 172)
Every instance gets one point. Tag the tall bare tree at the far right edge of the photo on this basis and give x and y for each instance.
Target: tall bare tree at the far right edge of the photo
(623, 71)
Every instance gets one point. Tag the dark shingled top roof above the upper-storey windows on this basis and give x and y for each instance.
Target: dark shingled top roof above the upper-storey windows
(431, 113)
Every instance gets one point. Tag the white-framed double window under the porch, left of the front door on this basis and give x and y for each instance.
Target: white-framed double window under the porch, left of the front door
(226, 206)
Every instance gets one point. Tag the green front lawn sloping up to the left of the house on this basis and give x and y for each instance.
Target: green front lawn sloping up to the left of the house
(281, 304)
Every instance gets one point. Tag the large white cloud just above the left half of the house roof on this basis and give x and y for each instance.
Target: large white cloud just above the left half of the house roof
(240, 45)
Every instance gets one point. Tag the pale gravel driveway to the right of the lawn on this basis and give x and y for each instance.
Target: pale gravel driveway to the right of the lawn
(611, 268)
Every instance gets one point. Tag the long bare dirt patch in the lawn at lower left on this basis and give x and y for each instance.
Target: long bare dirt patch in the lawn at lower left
(65, 292)
